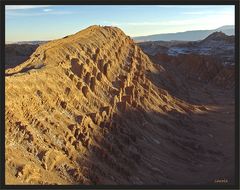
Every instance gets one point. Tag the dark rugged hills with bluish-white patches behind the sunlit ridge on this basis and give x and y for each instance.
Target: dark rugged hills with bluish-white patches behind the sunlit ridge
(217, 44)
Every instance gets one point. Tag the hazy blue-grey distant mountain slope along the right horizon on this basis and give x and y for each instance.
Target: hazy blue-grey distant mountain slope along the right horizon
(194, 35)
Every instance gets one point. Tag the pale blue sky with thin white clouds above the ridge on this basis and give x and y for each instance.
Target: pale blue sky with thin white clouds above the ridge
(45, 22)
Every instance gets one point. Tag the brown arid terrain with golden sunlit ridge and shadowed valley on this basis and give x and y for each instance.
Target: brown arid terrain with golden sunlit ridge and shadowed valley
(97, 108)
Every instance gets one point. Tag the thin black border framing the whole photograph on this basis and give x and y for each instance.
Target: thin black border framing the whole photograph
(3, 3)
